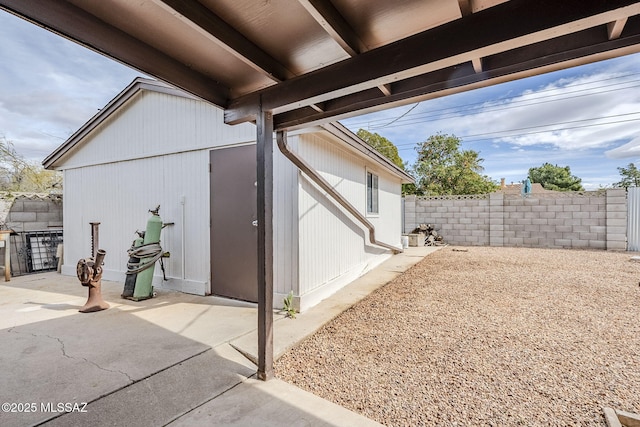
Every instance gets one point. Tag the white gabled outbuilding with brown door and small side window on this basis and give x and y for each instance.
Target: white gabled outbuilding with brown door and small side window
(336, 213)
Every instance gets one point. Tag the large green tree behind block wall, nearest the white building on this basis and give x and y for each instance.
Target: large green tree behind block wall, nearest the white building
(442, 168)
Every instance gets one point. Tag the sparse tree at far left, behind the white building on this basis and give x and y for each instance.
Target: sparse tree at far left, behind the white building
(18, 174)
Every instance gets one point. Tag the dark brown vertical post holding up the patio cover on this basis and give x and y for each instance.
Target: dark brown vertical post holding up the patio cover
(264, 157)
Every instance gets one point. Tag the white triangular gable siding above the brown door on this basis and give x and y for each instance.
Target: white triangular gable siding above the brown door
(153, 124)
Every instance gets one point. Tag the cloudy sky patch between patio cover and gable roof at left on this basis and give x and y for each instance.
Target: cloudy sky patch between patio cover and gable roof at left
(50, 86)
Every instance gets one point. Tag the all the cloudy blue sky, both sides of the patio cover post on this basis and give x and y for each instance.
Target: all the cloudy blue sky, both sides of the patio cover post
(587, 118)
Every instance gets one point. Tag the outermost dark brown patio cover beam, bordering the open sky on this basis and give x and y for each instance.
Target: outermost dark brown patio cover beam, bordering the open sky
(541, 57)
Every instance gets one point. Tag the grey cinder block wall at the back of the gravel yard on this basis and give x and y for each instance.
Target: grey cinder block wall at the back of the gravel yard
(596, 220)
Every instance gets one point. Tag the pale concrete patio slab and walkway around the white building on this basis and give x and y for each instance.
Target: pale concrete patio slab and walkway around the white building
(163, 360)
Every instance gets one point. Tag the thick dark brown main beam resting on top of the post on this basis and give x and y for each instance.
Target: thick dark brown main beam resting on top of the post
(478, 35)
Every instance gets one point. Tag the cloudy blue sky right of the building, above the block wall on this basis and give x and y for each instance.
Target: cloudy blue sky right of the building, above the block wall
(570, 117)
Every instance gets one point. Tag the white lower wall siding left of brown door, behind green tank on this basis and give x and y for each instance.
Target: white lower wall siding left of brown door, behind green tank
(119, 195)
